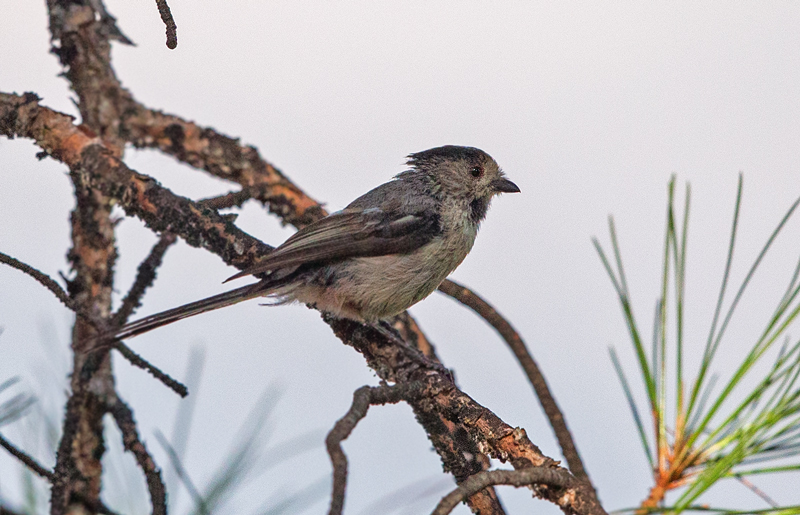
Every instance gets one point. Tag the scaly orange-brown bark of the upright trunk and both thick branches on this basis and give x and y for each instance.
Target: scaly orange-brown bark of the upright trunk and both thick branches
(464, 433)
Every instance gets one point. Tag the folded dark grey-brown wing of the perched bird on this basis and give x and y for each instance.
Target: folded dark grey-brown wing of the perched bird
(351, 233)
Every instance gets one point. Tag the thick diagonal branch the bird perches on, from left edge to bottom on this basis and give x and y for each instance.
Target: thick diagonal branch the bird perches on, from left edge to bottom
(460, 429)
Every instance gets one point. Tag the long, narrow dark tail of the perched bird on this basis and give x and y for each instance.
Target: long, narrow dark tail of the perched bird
(151, 322)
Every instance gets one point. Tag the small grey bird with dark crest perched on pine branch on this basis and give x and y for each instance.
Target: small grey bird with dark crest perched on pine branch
(387, 250)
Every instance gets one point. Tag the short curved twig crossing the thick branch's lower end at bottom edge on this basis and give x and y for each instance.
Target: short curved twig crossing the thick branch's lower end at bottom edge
(551, 477)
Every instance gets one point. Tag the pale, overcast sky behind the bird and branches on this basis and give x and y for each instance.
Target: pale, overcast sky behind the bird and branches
(588, 107)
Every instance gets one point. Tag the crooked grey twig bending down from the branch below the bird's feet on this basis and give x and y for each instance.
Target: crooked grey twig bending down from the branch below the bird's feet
(363, 398)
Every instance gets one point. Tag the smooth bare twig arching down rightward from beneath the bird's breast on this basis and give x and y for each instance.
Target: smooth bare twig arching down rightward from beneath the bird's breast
(473, 301)
